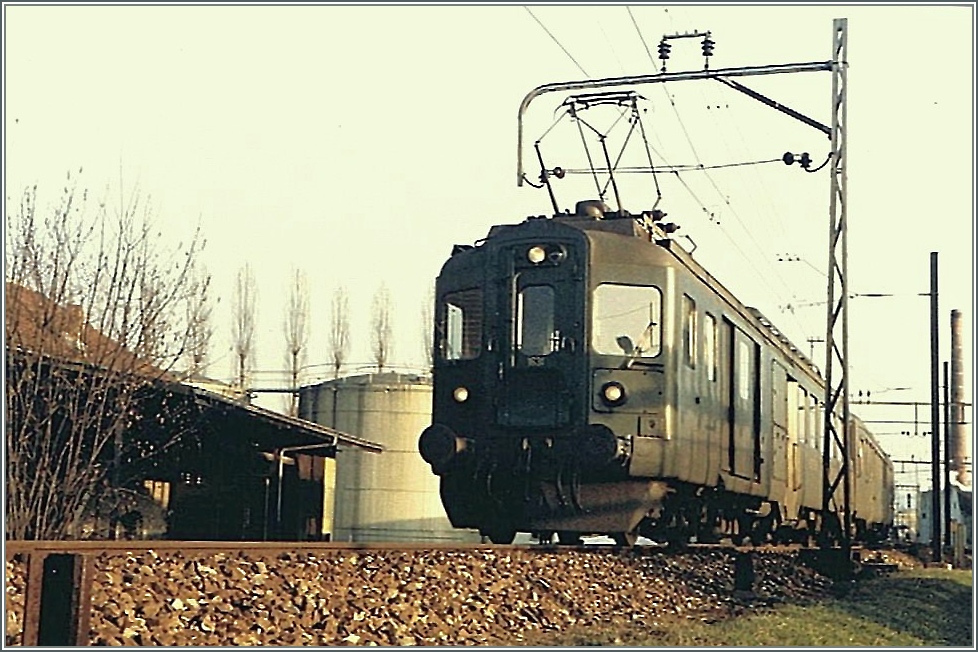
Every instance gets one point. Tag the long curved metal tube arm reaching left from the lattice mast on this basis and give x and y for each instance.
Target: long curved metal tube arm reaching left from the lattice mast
(815, 66)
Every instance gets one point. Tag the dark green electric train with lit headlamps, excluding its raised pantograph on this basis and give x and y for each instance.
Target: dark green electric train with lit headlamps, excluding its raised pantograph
(590, 377)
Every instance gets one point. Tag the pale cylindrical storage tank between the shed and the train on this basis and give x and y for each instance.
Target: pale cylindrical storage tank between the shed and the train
(391, 496)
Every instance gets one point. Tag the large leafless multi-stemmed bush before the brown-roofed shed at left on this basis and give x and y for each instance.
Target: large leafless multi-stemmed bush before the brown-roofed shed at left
(96, 317)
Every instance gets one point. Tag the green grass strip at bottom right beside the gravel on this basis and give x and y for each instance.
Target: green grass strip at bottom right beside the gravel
(931, 607)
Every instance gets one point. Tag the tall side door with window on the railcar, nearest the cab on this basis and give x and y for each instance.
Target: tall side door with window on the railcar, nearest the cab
(744, 412)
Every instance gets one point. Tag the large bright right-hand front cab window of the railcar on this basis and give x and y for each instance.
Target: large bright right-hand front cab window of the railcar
(627, 320)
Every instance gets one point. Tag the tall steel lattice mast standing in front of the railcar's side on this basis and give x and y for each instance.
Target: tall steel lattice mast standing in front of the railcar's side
(836, 402)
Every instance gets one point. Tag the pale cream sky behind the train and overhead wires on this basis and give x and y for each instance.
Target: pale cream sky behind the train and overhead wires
(359, 143)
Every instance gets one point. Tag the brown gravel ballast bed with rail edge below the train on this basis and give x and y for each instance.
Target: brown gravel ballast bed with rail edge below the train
(274, 593)
